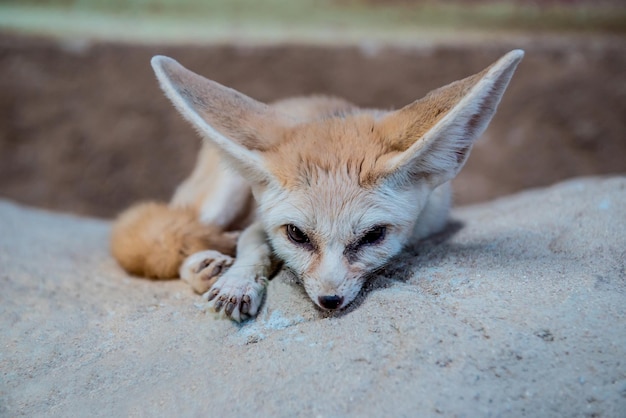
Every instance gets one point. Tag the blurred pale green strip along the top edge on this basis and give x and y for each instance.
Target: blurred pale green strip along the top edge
(271, 20)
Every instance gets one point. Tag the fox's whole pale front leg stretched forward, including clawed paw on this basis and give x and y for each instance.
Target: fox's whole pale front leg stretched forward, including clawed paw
(239, 291)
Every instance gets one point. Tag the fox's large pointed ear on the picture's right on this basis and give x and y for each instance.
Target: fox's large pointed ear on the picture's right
(434, 135)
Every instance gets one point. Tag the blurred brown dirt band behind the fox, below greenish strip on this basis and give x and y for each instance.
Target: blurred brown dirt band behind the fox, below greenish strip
(84, 127)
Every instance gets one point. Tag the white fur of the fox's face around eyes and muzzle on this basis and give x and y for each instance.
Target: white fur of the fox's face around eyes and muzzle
(336, 212)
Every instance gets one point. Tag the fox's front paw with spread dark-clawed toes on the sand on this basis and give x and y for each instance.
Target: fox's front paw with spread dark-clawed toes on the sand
(238, 295)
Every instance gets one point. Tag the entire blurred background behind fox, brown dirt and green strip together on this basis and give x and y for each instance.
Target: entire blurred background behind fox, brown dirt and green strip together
(84, 127)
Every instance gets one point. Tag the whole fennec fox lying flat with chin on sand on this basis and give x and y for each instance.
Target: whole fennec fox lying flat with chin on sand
(331, 190)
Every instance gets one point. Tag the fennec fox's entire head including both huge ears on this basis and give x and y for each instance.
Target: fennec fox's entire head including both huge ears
(341, 193)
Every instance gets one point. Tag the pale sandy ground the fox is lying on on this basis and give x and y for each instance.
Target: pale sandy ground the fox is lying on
(518, 310)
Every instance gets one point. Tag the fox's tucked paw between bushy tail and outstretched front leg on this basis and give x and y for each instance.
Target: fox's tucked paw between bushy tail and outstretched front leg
(201, 270)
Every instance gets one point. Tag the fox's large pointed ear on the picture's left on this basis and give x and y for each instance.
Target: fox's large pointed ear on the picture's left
(238, 125)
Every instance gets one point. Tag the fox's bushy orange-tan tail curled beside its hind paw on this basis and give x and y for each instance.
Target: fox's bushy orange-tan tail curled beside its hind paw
(153, 239)
